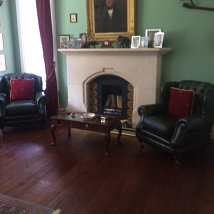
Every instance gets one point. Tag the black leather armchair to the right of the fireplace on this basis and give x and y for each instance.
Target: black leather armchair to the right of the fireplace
(178, 135)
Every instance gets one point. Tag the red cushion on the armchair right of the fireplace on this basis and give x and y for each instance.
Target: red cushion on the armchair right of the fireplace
(181, 102)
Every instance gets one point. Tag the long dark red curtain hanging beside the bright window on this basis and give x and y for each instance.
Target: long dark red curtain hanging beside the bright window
(44, 18)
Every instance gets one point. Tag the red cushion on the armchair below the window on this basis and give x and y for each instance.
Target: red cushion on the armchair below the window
(22, 89)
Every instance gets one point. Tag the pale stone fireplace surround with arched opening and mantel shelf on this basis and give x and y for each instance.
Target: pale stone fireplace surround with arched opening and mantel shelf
(140, 67)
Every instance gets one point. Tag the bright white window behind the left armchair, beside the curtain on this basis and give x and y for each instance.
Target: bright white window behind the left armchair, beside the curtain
(31, 53)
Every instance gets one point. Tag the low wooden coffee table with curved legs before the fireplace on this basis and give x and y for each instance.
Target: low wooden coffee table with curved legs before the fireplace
(90, 122)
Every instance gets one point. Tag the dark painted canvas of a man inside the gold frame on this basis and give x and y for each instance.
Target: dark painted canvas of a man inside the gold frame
(110, 16)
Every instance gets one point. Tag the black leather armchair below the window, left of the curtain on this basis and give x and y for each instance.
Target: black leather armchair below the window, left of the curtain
(21, 112)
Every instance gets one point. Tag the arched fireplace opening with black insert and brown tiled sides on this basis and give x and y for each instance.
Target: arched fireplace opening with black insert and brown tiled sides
(112, 95)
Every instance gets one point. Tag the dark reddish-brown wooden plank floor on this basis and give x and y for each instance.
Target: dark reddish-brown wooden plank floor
(76, 177)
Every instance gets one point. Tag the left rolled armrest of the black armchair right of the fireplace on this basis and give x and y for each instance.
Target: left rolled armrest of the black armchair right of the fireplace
(153, 109)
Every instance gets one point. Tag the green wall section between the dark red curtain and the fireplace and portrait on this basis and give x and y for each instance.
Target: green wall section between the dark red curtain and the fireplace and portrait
(63, 9)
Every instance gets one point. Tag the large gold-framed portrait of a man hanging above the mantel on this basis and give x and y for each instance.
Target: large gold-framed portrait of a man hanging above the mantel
(108, 19)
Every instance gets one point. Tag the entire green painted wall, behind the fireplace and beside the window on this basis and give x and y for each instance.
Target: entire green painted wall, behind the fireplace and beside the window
(189, 32)
